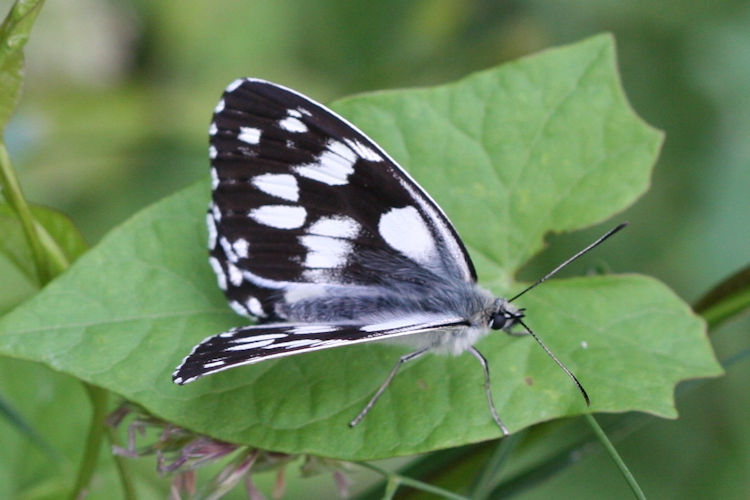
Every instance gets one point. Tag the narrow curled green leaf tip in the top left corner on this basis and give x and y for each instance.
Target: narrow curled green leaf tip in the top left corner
(14, 32)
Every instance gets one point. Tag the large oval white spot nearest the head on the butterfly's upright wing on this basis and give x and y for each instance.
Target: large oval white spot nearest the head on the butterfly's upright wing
(405, 230)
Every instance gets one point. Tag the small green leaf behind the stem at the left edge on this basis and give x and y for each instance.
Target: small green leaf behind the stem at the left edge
(17, 267)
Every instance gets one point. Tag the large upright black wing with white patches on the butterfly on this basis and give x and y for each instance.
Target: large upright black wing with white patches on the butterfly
(304, 202)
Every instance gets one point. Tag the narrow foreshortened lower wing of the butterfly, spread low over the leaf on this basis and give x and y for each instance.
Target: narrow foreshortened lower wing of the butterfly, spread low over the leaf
(252, 344)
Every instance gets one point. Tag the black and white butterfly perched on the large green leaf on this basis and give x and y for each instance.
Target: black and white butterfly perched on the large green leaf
(319, 235)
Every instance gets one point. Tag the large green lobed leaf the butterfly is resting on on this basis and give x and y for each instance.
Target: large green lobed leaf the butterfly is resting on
(544, 144)
